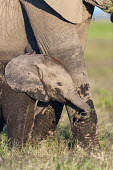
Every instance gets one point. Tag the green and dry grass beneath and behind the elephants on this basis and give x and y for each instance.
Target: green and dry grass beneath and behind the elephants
(55, 153)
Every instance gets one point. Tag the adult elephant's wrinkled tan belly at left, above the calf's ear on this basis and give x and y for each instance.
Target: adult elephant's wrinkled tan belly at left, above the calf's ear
(13, 40)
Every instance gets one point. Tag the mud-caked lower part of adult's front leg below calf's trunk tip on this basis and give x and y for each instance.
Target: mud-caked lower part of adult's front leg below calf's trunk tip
(84, 128)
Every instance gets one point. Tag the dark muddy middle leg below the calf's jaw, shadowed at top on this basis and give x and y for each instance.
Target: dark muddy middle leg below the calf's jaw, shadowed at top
(47, 116)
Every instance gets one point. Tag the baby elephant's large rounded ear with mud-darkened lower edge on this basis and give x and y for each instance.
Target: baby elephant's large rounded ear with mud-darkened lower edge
(22, 75)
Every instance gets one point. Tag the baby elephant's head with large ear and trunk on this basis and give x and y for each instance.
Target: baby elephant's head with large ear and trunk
(43, 77)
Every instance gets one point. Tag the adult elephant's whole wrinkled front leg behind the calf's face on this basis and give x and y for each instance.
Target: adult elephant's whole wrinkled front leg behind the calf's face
(61, 39)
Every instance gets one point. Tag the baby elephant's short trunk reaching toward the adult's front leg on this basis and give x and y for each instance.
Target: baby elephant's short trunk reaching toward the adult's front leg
(74, 98)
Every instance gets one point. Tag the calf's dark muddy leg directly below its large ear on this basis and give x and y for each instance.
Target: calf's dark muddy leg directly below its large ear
(18, 111)
